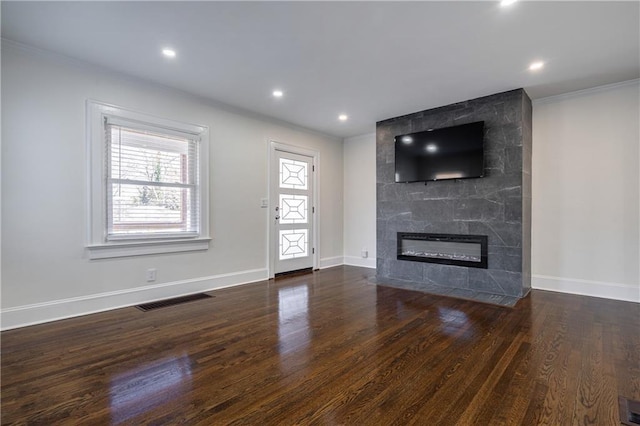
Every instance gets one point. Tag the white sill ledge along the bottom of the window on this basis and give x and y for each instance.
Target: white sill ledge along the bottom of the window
(141, 248)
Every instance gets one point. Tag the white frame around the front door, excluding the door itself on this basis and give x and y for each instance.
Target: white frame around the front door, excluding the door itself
(272, 238)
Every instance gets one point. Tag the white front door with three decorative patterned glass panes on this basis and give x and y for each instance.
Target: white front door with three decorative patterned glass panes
(292, 211)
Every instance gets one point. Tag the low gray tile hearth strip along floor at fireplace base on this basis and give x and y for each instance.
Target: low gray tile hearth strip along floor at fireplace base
(460, 293)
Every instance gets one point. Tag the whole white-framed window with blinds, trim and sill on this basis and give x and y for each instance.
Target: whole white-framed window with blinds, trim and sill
(148, 187)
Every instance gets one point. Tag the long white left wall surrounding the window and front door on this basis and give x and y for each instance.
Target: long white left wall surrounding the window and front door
(45, 270)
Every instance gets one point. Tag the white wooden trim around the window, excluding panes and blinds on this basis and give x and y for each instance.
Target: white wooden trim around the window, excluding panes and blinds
(97, 245)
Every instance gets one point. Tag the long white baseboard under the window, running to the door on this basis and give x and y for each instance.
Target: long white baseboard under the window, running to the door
(37, 313)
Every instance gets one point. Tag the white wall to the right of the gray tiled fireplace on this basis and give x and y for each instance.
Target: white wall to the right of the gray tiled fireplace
(586, 193)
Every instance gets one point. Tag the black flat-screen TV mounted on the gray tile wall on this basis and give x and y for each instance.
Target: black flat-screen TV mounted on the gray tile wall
(447, 153)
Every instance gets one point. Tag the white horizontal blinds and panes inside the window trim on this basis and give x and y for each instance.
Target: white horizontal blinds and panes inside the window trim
(152, 182)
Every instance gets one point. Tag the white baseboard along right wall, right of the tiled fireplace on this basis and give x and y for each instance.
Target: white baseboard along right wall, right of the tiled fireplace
(605, 290)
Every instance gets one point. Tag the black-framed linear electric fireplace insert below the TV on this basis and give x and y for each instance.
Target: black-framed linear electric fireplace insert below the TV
(448, 249)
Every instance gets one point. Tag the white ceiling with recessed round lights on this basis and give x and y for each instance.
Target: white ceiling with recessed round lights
(370, 60)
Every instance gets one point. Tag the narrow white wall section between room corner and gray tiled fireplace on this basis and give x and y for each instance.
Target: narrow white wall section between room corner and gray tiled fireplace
(360, 200)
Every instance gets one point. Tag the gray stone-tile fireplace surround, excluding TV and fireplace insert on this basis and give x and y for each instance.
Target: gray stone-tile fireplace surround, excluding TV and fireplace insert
(497, 205)
